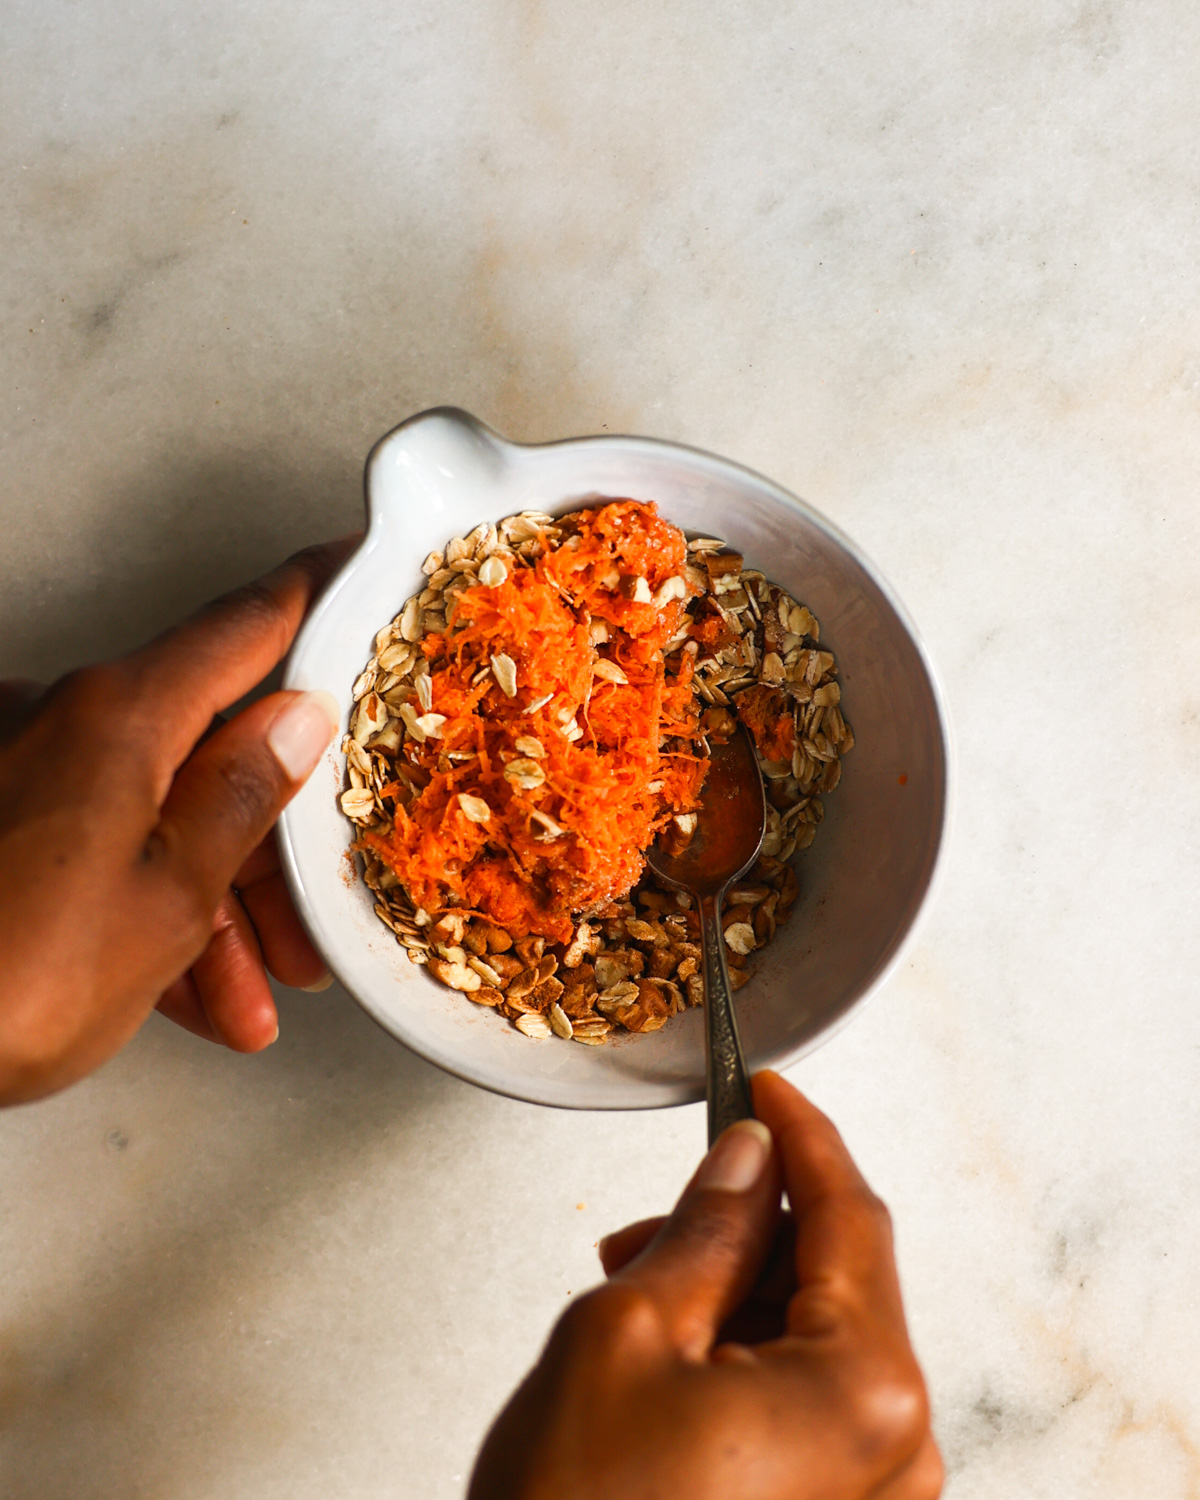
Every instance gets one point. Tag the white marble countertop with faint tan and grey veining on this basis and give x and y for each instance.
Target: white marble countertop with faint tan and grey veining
(932, 266)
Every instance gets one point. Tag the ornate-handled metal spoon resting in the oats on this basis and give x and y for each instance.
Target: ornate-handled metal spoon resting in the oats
(730, 829)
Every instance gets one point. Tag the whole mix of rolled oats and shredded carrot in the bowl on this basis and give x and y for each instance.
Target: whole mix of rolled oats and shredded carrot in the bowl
(502, 826)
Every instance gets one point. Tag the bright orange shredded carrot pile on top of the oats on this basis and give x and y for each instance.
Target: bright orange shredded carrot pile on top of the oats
(535, 808)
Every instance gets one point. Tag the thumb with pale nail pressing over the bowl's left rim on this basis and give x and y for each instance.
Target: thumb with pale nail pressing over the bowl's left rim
(229, 796)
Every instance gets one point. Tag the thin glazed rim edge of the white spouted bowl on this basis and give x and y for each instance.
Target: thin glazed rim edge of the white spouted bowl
(787, 1057)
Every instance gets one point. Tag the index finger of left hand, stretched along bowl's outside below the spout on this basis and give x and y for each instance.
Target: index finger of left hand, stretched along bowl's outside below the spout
(194, 671)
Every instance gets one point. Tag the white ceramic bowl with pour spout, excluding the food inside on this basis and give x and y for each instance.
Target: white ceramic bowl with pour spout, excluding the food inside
(863, 881)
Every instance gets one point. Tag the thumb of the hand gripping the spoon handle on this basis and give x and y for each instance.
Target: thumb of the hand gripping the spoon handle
(706, 1258)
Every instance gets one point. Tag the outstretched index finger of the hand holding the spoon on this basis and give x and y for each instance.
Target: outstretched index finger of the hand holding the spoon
(844, 1235)
